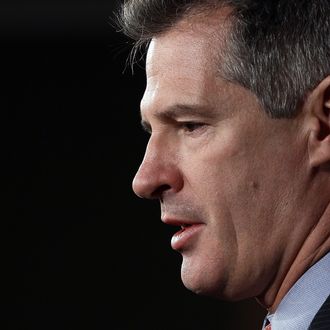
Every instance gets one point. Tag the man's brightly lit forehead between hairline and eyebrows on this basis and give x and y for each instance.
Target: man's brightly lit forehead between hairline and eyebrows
(183, 63)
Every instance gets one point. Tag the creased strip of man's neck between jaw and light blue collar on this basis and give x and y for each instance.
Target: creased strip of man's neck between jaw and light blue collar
(313, 248)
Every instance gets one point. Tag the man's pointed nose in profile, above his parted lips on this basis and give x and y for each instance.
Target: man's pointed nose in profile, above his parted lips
(158, 172)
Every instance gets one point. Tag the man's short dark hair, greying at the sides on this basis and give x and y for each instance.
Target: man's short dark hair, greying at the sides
(280, 50)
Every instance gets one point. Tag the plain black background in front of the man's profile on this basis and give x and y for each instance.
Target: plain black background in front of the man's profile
(78, 249)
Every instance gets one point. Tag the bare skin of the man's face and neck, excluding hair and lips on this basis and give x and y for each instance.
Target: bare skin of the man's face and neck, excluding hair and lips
(215, 158)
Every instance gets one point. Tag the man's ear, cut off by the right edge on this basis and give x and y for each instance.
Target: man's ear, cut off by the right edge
(318, 107)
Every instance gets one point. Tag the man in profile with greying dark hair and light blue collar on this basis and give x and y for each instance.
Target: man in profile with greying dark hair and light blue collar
(237, 104)
